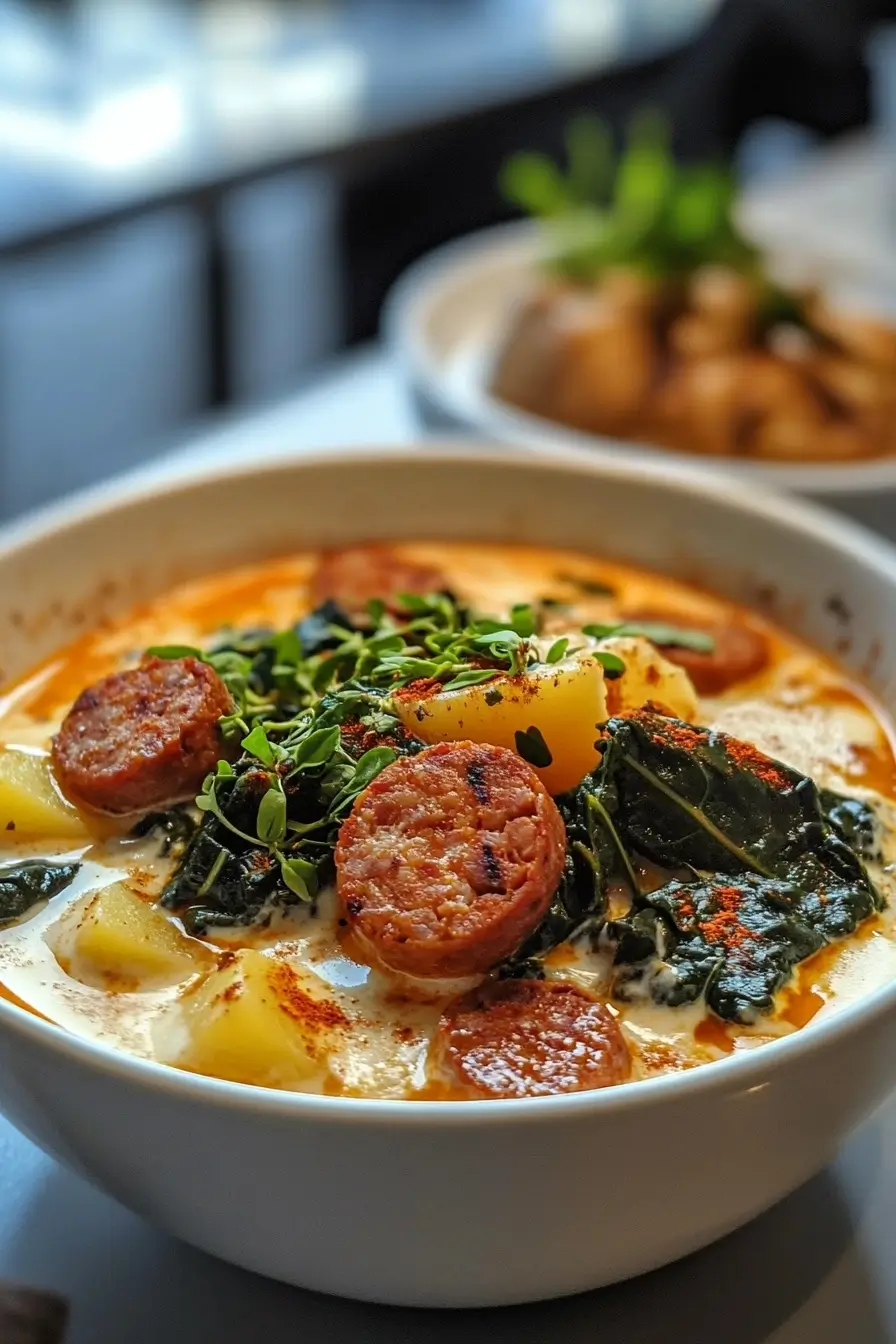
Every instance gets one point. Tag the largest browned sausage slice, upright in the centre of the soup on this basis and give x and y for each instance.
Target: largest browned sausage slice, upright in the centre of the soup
(451, 859)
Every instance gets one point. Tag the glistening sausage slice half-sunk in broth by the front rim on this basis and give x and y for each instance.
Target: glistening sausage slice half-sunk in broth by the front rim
(531, 1038)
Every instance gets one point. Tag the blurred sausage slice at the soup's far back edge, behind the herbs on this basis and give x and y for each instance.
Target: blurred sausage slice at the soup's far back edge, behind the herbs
(355, 576)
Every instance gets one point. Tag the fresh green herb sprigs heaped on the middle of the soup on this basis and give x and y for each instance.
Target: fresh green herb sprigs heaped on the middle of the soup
(298, 691)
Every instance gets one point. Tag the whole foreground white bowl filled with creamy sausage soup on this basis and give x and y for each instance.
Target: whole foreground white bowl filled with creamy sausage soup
(449, 846)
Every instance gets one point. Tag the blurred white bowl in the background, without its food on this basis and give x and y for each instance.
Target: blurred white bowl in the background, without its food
(445, 321)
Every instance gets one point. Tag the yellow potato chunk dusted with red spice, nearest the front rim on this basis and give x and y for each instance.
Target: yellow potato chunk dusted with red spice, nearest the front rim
(253, 1021)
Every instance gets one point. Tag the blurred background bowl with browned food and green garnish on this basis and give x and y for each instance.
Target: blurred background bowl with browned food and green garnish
(635, 310)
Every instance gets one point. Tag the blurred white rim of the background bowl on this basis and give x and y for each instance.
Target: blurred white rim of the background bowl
(428, 280)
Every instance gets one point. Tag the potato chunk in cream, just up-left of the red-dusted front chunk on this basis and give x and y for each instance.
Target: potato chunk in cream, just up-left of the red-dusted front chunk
(115, 940)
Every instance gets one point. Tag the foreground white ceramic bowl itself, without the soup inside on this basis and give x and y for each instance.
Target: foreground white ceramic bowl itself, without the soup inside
(433, 1204)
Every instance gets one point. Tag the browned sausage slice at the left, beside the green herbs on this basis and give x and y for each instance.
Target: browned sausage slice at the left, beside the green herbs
(144, 737)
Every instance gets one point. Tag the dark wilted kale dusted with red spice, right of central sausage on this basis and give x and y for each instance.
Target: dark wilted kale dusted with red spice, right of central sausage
(688, 798)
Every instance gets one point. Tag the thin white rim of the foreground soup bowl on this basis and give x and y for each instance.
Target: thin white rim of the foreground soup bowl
(748, 1072)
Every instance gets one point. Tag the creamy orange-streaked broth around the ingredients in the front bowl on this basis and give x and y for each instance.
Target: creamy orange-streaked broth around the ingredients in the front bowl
(375, 1032)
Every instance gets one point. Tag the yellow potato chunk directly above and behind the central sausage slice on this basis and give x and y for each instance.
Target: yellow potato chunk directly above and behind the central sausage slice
(565, 702)
